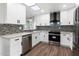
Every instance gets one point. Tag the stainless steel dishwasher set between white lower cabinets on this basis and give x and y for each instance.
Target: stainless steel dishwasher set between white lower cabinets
(26, 43)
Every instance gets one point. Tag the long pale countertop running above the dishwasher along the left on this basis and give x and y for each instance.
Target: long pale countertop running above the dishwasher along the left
(14, 35)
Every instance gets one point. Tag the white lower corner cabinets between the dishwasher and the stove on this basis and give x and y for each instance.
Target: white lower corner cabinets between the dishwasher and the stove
(39, 36)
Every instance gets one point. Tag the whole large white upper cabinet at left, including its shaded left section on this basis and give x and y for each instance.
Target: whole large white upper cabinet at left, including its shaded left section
(13, 13)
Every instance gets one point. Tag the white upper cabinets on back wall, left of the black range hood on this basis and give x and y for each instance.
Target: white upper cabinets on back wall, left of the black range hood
(42, 20)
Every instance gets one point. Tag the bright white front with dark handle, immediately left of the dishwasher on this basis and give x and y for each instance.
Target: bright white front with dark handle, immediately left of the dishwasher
(15, 46)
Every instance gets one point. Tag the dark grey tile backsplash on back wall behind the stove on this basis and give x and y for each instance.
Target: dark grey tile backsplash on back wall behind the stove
(68, 28)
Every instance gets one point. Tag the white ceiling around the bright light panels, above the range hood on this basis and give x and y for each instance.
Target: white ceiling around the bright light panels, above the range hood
(48, 7)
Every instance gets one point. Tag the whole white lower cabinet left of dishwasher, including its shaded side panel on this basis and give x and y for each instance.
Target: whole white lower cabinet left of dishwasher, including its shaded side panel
(11, 47)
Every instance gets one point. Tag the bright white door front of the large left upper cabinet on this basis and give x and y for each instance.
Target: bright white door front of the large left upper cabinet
(16, 14)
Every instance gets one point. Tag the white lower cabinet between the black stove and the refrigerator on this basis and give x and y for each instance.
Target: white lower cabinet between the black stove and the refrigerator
(67, 39)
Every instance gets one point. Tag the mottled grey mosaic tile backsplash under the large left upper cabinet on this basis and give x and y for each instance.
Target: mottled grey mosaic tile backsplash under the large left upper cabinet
(10, 28)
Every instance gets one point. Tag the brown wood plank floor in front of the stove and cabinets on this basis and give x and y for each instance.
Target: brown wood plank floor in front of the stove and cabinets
(44, 49)
